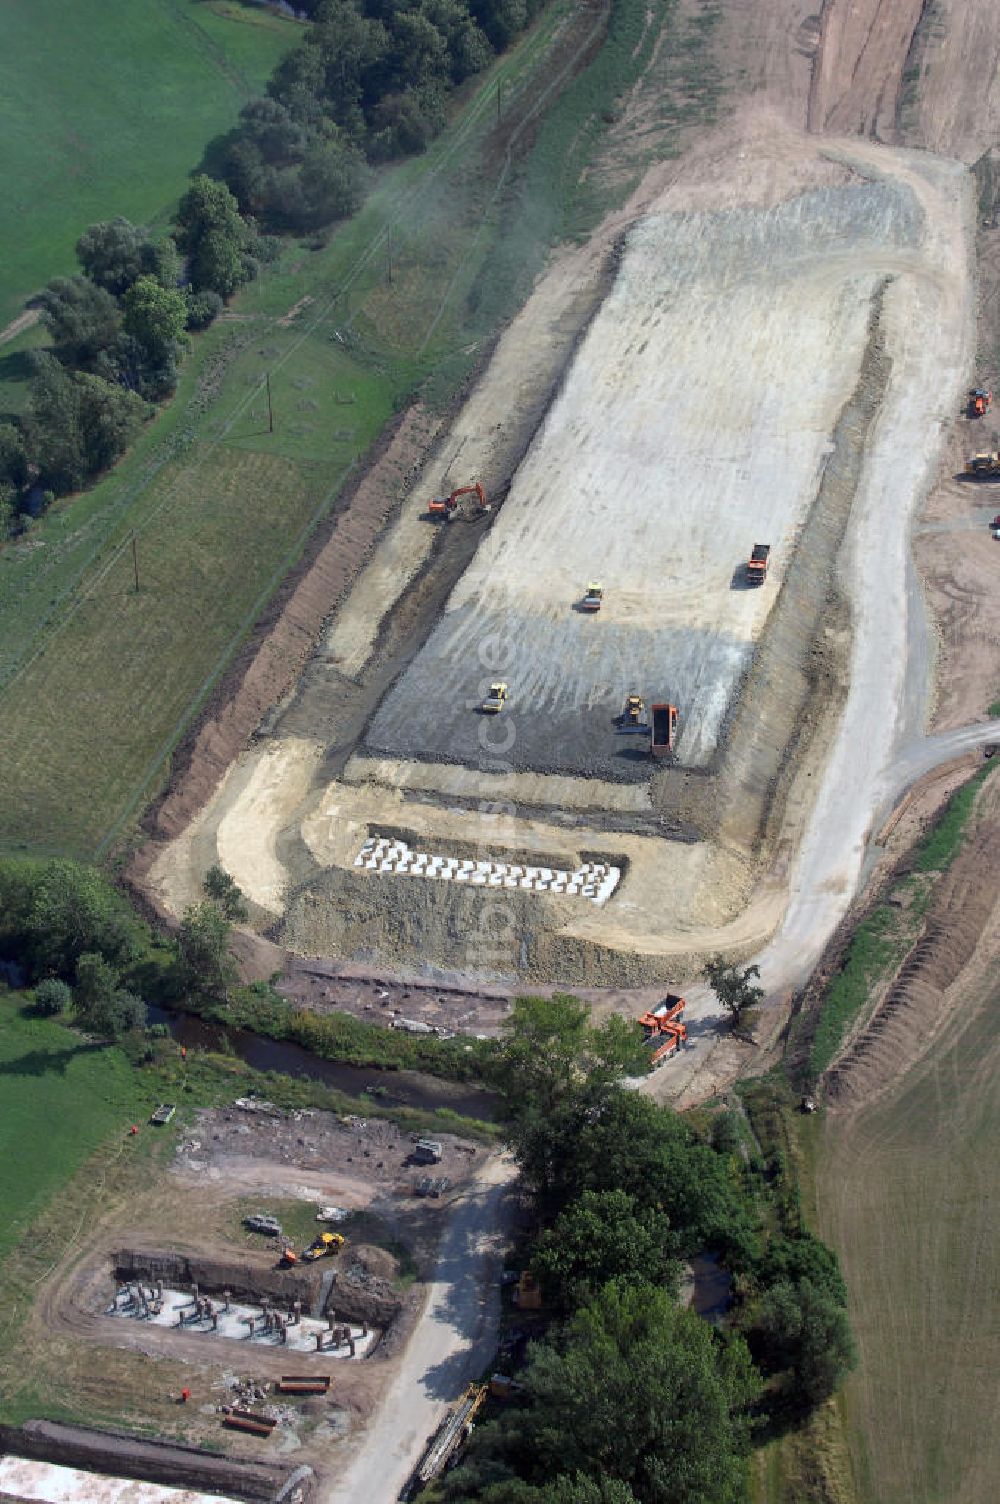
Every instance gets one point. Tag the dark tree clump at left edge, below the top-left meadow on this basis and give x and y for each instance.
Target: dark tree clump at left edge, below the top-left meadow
(118, 335)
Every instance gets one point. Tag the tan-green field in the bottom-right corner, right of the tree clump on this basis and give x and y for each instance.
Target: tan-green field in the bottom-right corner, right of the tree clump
(909, 1192)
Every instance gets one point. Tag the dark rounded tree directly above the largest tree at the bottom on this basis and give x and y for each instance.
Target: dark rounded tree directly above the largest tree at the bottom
(599, 1237)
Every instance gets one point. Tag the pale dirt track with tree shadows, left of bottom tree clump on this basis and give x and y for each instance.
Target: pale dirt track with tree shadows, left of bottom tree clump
(453, 1344)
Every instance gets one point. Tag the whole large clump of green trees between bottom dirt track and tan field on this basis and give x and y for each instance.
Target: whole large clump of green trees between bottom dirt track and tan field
(632, 1398)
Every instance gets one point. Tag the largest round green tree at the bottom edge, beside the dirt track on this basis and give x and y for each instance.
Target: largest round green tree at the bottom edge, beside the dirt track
(643, 1392)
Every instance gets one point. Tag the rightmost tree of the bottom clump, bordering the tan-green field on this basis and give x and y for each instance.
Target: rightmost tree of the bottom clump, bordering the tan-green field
(805, 1332)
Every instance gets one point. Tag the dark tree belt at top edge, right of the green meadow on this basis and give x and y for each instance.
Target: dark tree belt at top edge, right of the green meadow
(369, 83)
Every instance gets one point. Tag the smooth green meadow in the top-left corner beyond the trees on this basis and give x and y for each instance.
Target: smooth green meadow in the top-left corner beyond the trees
(106, 109)
